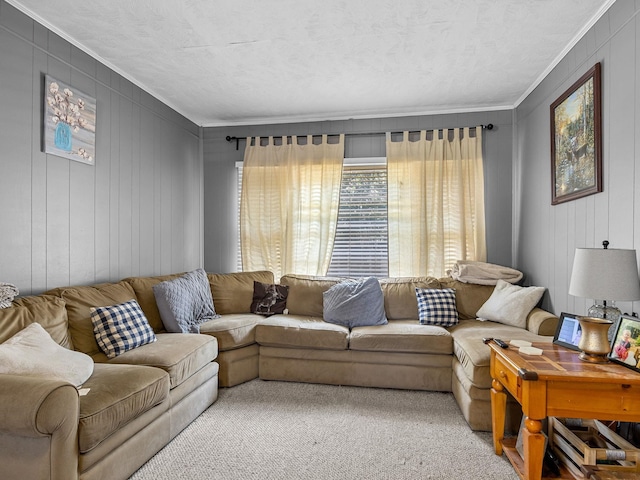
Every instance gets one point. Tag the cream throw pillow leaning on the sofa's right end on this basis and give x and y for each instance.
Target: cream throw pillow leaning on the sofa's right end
(510, 304)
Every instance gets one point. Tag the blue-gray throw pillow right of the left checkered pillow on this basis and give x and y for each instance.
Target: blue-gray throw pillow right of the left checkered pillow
(185, 302)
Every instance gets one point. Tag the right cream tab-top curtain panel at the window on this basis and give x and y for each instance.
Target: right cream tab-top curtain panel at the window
(436, 201)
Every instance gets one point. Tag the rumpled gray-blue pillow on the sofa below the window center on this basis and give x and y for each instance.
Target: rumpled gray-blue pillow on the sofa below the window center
(355, 303)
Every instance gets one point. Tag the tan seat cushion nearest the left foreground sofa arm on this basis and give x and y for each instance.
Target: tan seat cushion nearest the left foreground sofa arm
(117, 394)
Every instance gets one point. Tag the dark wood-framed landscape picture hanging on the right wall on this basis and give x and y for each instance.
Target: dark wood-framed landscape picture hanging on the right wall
(576, 139)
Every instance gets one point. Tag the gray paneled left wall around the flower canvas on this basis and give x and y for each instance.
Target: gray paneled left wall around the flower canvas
(138, 211)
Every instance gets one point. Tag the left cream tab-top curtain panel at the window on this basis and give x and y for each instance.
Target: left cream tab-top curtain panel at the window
(289, 205)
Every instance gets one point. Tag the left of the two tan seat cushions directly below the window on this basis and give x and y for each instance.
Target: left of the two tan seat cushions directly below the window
(301, 331)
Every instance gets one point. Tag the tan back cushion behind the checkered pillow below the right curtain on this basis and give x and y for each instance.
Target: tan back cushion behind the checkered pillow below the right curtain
(400, 300)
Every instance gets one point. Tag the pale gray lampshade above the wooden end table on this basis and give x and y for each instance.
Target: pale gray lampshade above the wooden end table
(605, 274)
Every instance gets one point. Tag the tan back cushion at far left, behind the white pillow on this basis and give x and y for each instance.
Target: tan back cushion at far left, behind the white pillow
(47, 310)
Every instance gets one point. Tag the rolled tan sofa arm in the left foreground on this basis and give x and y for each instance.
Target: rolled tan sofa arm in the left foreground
(38, 428)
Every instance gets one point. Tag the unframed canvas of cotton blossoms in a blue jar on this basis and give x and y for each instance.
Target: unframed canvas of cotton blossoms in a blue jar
(69, 122)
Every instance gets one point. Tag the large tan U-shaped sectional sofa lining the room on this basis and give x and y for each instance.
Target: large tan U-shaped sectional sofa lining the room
(141, 399)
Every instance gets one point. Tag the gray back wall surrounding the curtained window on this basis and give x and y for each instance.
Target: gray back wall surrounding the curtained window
(220, 208)
